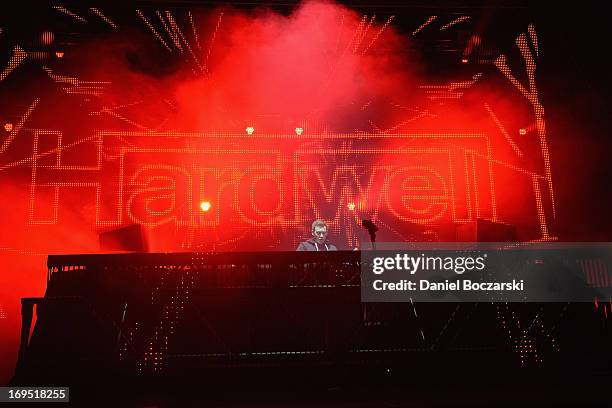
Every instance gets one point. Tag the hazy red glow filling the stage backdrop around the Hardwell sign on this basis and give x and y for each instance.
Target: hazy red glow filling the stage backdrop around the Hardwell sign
(375, 134)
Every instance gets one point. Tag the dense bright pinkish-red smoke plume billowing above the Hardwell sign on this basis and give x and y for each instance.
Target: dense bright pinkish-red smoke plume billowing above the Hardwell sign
(304, 66)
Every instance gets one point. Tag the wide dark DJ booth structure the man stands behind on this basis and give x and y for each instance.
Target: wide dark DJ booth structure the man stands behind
(173, 318)
